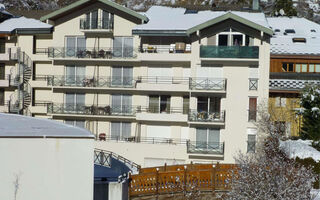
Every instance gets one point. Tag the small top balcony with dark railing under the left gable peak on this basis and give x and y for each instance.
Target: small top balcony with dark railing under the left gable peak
(96, 25)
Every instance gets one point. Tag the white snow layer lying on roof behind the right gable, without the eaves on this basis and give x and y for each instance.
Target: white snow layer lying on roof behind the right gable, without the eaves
(167, 18)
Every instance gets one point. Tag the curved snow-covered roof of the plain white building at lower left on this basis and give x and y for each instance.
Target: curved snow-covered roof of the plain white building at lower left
(18, 126)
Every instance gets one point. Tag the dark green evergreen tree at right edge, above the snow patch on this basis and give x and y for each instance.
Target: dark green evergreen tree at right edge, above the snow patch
(310, 102)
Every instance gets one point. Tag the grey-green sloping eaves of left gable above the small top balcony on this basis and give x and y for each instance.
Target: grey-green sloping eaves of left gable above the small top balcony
(81, 2)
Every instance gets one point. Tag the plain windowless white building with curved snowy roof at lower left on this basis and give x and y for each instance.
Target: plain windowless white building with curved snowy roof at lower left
(43, 159)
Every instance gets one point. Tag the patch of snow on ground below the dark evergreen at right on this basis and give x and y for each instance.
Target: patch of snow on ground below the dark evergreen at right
(301, 149)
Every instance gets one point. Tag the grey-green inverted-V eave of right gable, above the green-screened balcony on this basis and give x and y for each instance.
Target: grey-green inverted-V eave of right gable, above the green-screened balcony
(226, 16)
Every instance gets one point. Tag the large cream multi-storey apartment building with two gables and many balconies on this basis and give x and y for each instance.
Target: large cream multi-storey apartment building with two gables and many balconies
(168, 85)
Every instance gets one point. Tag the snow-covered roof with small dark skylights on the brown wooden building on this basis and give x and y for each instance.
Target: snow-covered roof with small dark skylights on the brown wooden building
(282, 44)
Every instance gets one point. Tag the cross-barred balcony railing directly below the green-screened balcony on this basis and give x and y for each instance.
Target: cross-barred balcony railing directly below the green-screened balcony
(218, 84)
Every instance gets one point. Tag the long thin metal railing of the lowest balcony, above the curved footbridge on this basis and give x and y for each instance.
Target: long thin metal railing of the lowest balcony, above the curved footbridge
(145, 140)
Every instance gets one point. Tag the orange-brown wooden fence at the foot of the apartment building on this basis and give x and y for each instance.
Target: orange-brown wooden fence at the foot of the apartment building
(180, 178)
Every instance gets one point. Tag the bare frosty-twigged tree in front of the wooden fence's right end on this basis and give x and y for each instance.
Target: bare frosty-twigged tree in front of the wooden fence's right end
(269, 173)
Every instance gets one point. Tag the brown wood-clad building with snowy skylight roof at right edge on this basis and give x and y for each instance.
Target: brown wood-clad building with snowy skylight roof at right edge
(295, 62)
